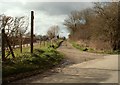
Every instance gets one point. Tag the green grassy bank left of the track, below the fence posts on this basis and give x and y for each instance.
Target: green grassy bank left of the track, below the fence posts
(42, 58)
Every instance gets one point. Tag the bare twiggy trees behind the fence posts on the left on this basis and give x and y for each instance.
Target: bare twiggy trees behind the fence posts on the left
(14, 27)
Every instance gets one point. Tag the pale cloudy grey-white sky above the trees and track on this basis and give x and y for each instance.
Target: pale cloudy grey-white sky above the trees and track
(46, 13)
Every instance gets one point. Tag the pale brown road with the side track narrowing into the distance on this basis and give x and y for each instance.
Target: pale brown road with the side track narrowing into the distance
(83, 67)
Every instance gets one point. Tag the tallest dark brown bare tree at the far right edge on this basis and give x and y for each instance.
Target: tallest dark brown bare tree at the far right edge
(108, 12)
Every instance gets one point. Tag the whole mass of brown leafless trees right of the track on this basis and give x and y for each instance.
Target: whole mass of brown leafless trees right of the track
(97, 24)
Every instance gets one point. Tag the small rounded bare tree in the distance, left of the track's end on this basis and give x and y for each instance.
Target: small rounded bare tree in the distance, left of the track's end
(53, 31)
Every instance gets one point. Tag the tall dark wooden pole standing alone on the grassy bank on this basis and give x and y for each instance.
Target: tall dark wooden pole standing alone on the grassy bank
(32, 27)
